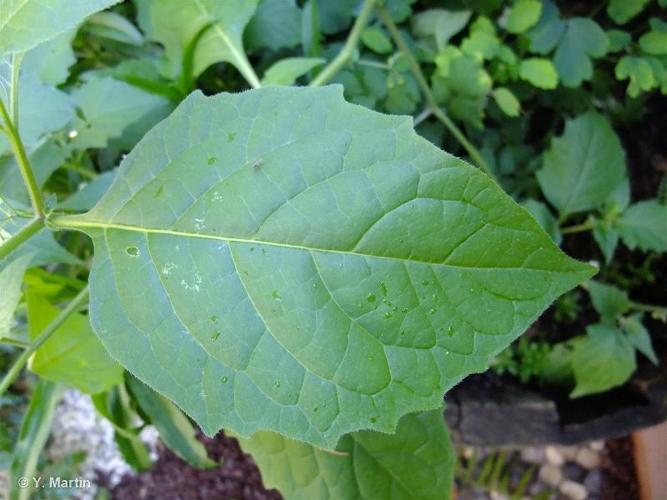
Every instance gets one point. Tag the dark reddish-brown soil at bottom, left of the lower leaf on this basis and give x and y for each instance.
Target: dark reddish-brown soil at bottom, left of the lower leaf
(173, 479)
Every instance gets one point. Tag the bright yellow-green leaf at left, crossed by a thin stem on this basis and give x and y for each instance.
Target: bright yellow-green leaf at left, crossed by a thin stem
(72, 354)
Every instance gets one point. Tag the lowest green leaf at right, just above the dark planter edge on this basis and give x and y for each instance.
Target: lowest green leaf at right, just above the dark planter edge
(601, 360)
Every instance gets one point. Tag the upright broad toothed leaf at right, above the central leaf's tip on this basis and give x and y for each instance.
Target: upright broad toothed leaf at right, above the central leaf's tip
(584, 166)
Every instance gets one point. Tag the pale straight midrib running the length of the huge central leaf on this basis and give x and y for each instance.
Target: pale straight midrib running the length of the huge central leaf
(76, 223)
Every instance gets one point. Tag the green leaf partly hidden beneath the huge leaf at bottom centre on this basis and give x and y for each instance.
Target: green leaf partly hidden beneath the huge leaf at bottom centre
(415, 463)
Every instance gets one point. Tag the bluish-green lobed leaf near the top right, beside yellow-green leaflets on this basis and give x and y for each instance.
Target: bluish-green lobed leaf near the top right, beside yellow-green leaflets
(582, 41)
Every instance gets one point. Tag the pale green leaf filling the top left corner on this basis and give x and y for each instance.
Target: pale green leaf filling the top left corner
(25, 24)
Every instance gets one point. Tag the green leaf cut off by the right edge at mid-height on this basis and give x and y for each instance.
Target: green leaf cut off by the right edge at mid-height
(644, 225)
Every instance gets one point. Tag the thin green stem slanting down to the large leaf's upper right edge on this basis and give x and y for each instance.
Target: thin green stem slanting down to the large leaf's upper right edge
(428, 95)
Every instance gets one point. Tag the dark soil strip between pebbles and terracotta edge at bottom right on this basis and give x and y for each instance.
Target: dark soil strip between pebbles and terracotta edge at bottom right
(619, 475)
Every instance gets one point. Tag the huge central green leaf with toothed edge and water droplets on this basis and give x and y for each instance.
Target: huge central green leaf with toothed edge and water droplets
(283, 260)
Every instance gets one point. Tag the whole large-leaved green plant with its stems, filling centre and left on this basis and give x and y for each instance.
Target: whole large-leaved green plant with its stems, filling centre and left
(307, 274)
